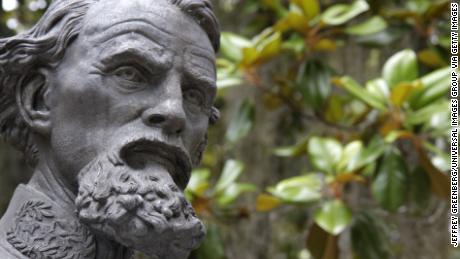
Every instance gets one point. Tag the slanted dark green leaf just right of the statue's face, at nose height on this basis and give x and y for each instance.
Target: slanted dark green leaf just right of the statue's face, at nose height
(241, 123)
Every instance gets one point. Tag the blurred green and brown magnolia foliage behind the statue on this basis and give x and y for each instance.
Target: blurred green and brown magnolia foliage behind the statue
(334, 136)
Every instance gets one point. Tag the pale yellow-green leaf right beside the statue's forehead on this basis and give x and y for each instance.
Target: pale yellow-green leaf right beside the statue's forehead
(231, 46)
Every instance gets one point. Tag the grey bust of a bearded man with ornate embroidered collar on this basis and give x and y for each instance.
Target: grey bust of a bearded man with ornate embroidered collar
(110, 101)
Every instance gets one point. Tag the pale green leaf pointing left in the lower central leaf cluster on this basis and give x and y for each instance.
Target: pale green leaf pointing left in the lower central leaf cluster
(303, 189)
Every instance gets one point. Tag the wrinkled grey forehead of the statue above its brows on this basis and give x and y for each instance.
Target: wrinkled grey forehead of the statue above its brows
(156, 20)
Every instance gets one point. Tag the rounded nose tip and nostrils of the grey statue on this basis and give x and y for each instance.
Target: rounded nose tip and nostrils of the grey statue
(169, 116)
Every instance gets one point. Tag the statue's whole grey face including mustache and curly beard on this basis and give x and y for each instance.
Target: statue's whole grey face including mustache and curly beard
(130, 105)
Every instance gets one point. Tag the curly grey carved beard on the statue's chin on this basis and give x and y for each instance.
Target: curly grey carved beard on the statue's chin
(140, 208)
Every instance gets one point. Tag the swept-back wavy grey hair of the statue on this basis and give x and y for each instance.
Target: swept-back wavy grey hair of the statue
(44, 45)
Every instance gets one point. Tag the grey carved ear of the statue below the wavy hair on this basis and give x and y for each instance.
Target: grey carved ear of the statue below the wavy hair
(32, 98)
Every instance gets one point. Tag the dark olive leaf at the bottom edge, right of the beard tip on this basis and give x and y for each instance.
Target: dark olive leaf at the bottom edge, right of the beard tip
(212, 246)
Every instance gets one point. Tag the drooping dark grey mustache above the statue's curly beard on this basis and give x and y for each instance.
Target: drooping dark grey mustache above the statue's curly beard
(137, 151)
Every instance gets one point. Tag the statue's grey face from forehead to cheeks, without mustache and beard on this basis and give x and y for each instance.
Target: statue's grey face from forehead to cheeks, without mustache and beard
(139, 70)
